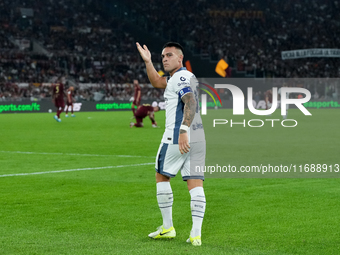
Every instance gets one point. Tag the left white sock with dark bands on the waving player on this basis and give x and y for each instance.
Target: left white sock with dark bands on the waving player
(165, 201)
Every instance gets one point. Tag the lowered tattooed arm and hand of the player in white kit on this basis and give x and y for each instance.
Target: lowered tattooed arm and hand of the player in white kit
(188, 116)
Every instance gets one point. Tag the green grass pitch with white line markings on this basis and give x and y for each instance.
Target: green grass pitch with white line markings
(86, 186)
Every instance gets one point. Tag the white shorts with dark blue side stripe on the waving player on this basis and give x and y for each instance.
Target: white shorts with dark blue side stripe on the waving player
(169, 161)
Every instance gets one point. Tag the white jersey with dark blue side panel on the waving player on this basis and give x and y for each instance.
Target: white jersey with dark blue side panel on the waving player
(177, 86)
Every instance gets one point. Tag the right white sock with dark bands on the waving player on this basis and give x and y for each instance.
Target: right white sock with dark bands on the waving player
(197, 210)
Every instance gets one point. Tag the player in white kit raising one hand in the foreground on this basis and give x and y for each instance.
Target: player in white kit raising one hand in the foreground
(183, 143)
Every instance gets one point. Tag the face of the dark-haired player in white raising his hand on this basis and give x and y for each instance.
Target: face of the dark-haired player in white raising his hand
(172, 59)
